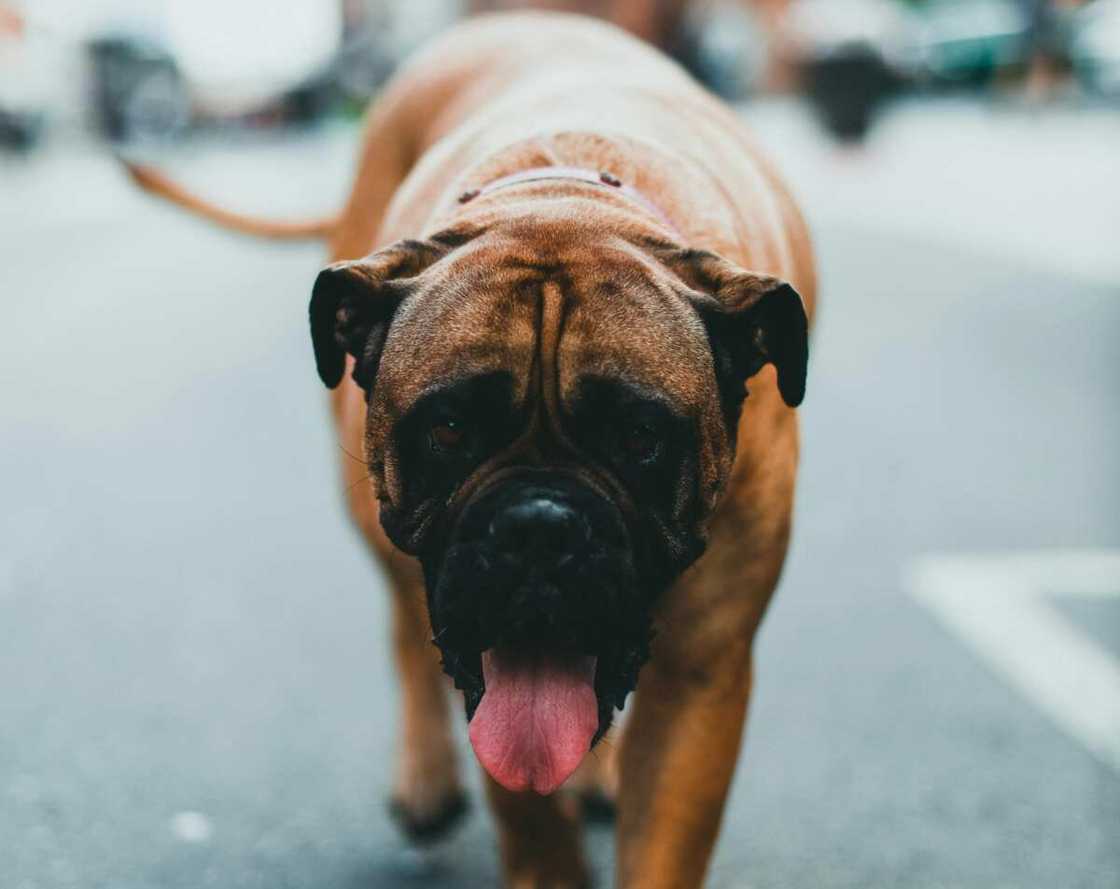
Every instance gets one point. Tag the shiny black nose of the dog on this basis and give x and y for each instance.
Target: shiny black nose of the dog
(540, 530)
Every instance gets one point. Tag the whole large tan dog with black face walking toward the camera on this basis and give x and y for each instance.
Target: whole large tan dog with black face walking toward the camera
(545, 370)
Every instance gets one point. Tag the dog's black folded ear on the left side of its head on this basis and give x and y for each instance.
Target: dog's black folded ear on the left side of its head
(354, 302)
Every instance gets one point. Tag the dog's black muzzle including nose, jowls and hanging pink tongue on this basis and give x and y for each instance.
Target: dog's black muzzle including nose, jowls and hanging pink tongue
(544, 620)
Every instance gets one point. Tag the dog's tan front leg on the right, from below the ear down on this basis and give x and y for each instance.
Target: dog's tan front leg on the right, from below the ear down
(686, 728)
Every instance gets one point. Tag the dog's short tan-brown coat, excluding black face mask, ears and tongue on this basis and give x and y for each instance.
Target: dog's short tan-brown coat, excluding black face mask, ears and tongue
(508, 93)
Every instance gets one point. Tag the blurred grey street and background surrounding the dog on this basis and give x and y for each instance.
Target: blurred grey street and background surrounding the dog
(195, 687)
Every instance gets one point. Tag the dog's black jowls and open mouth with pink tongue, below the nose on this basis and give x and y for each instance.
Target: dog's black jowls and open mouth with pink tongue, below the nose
(543, 667)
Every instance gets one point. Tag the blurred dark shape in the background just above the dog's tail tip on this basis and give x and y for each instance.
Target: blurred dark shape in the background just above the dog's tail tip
(138, 91)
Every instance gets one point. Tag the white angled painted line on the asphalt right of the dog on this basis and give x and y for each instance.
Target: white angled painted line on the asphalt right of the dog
(996, 604)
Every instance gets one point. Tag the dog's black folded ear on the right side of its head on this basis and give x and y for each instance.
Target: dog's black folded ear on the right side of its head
(752, 320)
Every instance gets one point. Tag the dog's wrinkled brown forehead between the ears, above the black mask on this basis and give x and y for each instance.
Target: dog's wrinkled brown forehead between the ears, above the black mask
(488, 308)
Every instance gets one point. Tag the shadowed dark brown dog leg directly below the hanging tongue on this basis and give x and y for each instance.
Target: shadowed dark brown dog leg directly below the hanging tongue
(539, 838)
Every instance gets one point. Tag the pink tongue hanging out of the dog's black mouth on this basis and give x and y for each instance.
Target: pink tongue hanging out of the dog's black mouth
(537, 719)
